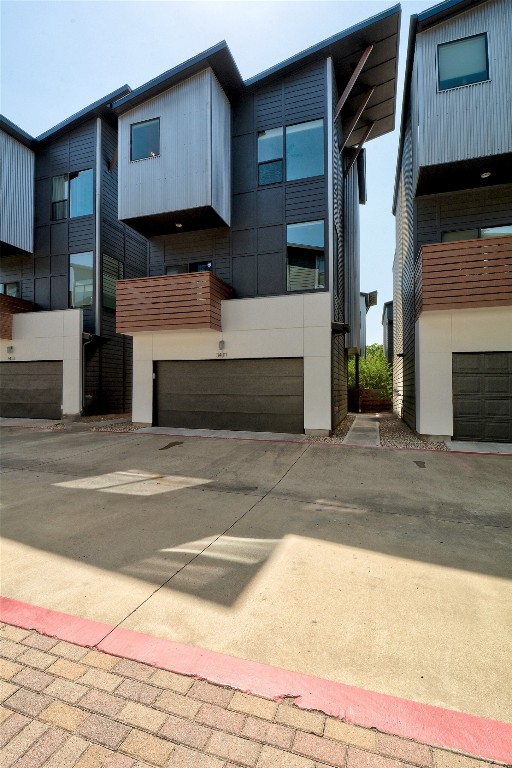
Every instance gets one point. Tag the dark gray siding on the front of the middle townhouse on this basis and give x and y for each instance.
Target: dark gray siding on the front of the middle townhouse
(251, 255)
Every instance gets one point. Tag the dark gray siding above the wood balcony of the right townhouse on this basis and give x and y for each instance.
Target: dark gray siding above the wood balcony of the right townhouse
(470, 209)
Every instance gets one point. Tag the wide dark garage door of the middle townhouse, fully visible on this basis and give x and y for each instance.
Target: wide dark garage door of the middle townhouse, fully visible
(258, 395)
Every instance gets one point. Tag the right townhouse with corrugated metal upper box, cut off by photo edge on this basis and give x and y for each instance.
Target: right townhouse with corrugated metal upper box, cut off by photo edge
(453, 204)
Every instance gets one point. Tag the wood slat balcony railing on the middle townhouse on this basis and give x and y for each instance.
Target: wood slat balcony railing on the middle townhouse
(170, 303)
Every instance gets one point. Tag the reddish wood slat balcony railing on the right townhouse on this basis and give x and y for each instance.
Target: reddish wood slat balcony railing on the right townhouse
(464, 274)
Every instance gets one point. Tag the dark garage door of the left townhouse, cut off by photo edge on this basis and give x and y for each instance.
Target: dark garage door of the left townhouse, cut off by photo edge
(31, 390)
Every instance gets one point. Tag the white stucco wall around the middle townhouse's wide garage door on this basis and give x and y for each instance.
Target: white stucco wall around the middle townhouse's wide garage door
(281, 326)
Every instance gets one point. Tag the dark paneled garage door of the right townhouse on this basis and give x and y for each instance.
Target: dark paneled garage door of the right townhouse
(482, 396)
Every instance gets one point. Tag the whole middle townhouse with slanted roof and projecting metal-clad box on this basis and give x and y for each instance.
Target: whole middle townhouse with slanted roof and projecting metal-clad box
(249, 194)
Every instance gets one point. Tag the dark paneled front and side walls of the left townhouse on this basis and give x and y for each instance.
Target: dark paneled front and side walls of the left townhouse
(44, 276)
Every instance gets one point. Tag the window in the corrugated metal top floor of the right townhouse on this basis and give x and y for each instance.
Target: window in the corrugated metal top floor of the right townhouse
(463, 62)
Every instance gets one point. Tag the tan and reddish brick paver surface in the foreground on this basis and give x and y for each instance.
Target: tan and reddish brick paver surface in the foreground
(70, 707)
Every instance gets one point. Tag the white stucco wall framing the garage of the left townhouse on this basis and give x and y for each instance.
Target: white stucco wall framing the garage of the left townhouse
(55, 335)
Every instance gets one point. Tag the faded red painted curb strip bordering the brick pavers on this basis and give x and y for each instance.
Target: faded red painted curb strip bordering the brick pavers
(477, 736)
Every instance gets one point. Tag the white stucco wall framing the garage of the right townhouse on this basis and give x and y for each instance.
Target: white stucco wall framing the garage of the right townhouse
(438, 335)
